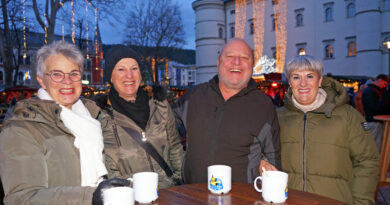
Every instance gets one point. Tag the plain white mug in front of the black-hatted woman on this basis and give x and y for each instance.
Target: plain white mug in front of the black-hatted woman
(145, 186)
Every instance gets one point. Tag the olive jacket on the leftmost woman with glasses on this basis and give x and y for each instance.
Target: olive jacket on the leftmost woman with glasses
(38, 162)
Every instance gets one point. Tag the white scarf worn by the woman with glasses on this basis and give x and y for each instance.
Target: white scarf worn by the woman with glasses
(88, 139)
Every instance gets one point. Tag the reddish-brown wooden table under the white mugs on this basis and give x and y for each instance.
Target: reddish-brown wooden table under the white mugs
(241, 193)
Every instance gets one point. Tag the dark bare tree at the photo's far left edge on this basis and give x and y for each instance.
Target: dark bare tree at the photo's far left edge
(11, 24)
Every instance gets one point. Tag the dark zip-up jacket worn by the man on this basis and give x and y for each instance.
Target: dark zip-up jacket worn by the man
(238, 132)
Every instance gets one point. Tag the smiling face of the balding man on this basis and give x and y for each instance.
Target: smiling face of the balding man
(235, 65)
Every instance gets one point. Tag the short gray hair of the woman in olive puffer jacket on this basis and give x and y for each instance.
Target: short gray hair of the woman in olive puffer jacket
(304, 62)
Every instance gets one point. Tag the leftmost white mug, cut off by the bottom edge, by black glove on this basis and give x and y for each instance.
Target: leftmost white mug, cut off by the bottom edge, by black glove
(118, 196)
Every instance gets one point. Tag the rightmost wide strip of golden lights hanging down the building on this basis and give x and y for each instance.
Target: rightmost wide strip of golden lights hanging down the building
(280, 10)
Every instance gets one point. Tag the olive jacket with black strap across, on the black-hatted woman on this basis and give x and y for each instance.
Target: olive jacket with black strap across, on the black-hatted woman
(126, 157)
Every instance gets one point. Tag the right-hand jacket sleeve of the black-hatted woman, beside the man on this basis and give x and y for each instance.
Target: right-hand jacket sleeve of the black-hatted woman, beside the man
(176, 152)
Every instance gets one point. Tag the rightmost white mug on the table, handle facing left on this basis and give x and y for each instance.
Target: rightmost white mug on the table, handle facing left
(274, 186)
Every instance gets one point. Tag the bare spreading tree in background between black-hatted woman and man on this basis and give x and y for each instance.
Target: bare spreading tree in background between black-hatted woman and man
(154, 26)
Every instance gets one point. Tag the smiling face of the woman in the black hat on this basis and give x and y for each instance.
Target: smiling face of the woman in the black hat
(126, 78)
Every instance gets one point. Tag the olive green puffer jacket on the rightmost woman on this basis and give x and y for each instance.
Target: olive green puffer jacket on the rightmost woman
(329, 151)
